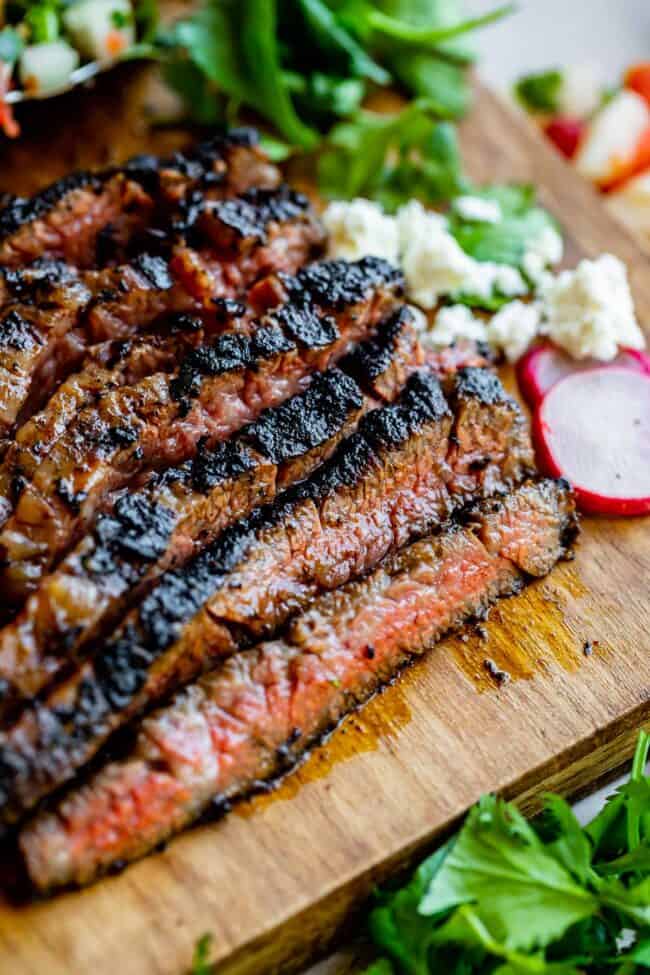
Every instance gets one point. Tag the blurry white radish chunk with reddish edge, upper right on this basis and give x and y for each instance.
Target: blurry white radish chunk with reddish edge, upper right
(613, 139)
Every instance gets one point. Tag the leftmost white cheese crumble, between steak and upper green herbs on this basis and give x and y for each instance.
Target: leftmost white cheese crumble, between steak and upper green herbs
(359, 228)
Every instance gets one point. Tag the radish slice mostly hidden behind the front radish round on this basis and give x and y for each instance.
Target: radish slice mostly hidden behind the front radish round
(544, 365)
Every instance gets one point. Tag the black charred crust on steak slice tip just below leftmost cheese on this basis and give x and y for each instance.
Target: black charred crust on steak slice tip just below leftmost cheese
(335, 284)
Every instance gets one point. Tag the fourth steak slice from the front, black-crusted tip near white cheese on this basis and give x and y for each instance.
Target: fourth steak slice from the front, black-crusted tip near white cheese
(160, 420)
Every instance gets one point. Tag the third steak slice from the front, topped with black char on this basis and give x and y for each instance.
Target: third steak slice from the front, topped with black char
(163, 523)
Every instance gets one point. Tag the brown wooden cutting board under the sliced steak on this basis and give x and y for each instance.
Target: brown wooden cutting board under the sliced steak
(275, 880)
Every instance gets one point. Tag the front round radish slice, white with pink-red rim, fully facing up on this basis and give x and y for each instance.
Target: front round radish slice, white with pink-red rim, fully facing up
(593, 428)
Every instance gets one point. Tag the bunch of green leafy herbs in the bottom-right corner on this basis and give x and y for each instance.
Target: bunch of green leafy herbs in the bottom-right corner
(511, 897)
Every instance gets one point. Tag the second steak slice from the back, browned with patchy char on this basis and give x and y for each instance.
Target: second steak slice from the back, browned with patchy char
(45, 337)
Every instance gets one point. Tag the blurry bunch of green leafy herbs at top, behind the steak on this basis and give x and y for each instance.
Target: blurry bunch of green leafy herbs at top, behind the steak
(306, 66)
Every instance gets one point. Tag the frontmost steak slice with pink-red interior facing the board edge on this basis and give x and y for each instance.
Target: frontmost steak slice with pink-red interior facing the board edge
(258, 713)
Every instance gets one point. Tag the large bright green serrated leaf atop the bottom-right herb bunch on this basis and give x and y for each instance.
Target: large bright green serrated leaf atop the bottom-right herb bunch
(523, 896)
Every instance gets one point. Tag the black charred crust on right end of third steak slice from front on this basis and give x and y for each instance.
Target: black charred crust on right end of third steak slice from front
(307, 420)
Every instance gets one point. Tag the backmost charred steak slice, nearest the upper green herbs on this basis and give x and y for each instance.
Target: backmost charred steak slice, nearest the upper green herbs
(89, 218)
